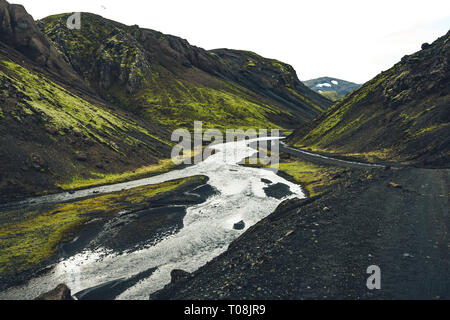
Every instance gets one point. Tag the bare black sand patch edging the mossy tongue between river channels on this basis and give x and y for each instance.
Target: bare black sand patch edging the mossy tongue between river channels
(133, 228)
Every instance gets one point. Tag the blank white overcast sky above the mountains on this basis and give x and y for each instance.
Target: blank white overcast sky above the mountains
(348, 39)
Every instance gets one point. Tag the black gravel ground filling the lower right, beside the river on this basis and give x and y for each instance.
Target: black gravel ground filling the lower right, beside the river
(320, 248)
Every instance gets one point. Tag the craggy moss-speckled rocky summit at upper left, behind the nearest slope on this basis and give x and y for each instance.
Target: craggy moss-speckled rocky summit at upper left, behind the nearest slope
(101, 44)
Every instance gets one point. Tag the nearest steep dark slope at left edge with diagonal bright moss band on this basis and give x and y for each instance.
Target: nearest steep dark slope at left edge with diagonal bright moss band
(53, 130)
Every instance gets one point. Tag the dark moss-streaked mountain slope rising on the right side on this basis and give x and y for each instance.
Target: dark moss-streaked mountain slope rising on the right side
(402, 114)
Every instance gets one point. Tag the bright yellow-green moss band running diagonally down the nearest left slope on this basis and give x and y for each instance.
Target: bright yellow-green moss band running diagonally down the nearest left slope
(65, 111)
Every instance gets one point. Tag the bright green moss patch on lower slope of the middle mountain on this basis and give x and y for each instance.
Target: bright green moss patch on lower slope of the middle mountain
(180, 103)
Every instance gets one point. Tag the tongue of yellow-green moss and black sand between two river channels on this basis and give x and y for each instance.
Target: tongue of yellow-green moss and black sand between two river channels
(36, 239)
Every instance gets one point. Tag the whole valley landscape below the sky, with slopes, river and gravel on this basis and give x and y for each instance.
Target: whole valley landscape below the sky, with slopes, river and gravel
(91, 195)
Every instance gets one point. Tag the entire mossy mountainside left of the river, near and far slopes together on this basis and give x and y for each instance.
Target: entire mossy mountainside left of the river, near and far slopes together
(97, 105)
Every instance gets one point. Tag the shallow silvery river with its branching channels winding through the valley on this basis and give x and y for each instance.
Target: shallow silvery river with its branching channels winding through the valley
(207, 232)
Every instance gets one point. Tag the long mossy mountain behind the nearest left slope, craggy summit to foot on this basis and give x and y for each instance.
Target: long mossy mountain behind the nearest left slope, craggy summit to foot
(164, 78)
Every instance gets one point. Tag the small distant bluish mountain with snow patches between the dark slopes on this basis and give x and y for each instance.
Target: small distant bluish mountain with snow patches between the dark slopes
(331, 88)
